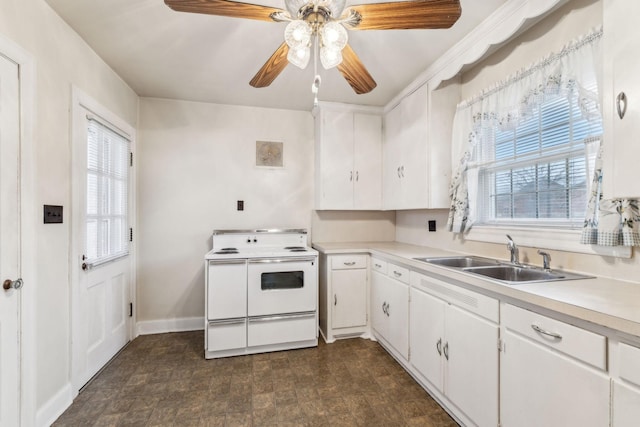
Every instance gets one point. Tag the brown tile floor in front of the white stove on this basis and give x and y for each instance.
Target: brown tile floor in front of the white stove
(164, 380)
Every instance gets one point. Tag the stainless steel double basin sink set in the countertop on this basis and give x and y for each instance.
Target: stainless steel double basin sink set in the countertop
(501, 271)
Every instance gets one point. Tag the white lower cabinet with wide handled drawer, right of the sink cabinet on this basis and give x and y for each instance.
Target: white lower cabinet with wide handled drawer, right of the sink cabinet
(551, 373)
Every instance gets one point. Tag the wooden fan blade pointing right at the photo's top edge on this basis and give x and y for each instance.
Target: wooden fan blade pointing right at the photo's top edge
(408, 15)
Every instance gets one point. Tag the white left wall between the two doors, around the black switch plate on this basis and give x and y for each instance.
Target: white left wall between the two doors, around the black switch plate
(62, 59)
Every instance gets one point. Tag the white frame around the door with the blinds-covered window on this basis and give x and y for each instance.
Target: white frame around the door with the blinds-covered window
(82, 102)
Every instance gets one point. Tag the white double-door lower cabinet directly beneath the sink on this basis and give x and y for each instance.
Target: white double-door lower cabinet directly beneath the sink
(454, 346)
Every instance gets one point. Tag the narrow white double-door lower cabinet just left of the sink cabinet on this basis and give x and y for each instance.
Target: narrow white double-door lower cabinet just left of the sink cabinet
(390, 305)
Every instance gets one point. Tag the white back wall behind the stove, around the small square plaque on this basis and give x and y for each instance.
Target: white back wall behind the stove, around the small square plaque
(195, 160)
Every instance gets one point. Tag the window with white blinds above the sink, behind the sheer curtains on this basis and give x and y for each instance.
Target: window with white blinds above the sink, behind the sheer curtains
(536, 173)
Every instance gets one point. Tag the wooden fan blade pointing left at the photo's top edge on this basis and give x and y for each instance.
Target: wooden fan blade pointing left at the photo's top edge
(224, 8)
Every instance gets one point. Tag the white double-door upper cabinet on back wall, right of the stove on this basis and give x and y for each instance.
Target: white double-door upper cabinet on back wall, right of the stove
(348, 160)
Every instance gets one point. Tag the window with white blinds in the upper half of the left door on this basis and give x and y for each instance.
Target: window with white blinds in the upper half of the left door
(107, 193)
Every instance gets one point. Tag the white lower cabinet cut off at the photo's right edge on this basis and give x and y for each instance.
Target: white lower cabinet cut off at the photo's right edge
(626, 387)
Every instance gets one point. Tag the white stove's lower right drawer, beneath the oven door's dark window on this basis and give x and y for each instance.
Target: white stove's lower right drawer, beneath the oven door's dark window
(281, 329)
